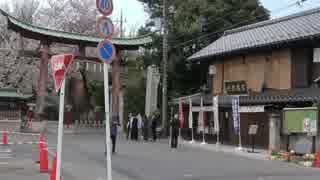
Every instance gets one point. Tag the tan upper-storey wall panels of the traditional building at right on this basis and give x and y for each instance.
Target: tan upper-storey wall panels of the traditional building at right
(269, 69)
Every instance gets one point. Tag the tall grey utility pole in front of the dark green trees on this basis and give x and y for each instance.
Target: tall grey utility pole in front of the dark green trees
(164, 77)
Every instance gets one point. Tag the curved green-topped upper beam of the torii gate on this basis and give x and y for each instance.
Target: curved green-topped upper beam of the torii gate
(67, 37)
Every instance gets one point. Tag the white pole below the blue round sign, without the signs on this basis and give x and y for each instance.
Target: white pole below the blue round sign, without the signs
(106, 108)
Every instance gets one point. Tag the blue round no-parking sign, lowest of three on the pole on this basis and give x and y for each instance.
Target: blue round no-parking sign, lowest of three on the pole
(106, 51)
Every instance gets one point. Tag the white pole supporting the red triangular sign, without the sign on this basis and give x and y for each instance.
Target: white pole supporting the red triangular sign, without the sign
(60, 130)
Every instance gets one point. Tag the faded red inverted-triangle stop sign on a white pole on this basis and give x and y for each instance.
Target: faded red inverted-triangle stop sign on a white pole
(60, 64)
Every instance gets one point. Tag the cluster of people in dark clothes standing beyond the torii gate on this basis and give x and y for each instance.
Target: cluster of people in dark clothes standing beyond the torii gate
(140, 125)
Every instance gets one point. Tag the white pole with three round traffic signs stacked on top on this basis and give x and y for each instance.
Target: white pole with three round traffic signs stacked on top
(106, 52)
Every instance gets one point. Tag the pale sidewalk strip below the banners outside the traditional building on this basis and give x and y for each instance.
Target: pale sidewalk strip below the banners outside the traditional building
(258, 154)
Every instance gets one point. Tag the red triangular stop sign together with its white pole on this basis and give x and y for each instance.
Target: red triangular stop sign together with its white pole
(60, 65)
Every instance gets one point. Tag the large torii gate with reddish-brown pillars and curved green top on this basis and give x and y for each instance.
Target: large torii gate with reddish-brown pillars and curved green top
(49, 36)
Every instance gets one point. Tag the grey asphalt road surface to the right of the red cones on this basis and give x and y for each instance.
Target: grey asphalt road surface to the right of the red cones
(83, 158)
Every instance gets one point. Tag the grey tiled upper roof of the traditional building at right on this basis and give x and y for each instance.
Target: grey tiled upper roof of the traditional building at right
(291, 28)
